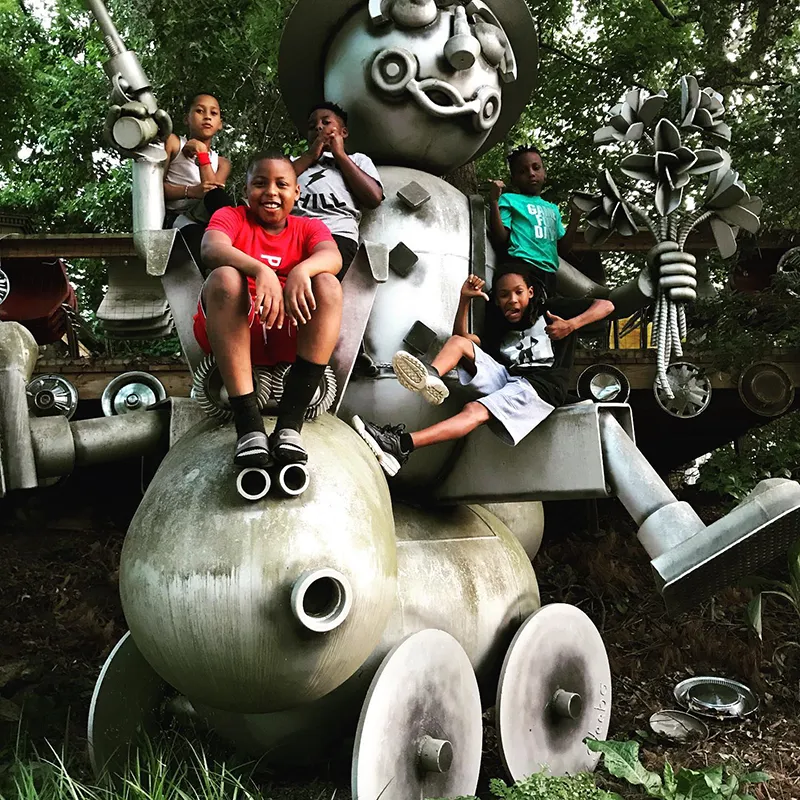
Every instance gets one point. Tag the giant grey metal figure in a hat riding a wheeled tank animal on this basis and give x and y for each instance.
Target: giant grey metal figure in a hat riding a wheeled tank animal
(289, 624)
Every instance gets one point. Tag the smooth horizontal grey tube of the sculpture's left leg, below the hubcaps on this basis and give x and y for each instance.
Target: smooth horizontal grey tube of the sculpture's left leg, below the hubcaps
(98, 441)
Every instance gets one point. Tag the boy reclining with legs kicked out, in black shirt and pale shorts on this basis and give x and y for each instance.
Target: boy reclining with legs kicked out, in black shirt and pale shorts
(520, 377)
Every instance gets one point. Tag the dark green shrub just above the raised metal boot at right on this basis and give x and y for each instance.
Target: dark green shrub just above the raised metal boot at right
(769, 452)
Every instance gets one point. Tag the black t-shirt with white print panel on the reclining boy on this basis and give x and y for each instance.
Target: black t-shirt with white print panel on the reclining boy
(525, 349)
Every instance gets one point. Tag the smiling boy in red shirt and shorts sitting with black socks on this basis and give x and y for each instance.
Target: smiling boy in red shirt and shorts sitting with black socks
(272, 297)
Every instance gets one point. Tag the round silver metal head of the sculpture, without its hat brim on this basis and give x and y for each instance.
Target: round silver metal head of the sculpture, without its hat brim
(396, 130)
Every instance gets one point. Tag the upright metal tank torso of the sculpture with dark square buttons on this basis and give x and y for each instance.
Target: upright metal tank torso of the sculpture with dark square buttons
(439, 233)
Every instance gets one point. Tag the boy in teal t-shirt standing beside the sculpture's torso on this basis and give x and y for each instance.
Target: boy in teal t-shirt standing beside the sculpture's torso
(529, 227)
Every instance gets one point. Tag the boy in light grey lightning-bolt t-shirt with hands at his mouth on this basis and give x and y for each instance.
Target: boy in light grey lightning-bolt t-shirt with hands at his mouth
(335, 186)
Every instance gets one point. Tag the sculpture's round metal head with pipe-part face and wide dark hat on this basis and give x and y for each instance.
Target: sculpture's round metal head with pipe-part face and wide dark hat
(425, 84)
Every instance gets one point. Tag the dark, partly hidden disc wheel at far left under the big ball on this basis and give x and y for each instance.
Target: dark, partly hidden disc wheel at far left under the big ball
(126, 702)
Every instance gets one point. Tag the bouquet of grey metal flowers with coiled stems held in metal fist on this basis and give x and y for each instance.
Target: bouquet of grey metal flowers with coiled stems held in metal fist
(669, 156)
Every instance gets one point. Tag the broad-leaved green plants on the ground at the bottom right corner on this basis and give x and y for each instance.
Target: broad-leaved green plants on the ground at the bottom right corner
(621, 759)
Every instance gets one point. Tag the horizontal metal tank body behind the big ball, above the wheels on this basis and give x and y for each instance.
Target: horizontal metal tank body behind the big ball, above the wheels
(459, 570)
